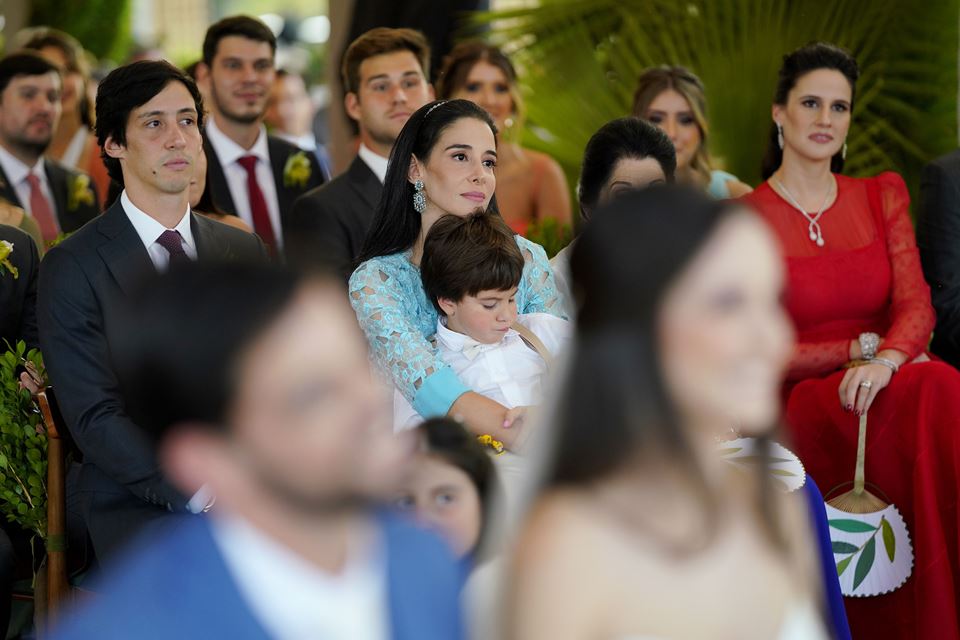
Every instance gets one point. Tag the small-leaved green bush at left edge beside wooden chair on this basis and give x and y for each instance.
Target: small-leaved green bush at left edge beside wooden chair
(23, 446)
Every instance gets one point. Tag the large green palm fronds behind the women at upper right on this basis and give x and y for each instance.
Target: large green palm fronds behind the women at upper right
(579, 61)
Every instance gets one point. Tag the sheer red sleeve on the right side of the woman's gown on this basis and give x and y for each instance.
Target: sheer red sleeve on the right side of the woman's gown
(912, 317)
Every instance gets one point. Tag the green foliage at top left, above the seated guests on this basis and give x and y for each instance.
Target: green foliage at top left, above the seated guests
(102, 26)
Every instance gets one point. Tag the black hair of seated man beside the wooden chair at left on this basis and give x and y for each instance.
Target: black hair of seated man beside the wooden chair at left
(126, 88)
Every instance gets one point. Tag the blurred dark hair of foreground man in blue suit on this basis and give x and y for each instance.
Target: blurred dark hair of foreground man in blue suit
(182, 335)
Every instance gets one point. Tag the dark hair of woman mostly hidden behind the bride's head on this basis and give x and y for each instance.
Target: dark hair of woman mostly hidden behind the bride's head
(628, 137)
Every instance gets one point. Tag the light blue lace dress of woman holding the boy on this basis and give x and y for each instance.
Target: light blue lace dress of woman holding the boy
(397, 318)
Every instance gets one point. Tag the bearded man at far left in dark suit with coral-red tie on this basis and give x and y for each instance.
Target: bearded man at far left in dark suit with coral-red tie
(60, 199)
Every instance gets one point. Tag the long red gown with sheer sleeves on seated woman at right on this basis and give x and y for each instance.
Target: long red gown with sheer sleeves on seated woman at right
(867, 277)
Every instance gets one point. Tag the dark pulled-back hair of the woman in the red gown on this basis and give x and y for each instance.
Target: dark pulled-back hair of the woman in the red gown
(810, 57)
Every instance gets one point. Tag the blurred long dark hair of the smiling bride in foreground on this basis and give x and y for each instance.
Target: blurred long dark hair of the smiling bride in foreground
(616, 406)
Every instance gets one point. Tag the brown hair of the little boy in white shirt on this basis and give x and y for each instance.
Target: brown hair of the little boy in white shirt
(464, 256)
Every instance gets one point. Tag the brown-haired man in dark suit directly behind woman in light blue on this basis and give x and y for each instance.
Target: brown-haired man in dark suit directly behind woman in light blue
(385, 75)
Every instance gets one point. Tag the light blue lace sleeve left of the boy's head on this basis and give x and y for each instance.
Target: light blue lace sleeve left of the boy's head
(396, 318)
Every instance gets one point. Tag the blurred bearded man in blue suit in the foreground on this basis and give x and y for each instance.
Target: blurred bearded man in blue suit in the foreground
(256, 384)
